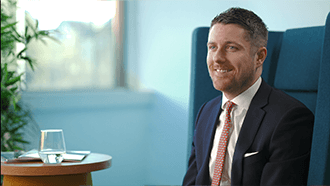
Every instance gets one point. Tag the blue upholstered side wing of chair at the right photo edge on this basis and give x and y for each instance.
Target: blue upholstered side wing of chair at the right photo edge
(319, 173)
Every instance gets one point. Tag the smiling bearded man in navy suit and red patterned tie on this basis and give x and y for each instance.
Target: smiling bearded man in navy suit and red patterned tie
(264, 137)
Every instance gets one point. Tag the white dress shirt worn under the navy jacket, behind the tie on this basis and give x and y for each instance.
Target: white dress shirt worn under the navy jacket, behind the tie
(238, 113)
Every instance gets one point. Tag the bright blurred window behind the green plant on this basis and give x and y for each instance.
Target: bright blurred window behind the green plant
(88, 51)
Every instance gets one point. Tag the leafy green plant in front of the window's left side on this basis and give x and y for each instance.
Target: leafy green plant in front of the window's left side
(13, 115)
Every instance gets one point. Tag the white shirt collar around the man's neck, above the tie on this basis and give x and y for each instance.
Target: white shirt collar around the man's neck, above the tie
(244, 99)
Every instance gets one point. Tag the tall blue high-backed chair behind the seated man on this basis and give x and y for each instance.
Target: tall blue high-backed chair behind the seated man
(298, 62)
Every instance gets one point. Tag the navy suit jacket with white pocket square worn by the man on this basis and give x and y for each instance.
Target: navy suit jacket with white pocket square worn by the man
(276, 126)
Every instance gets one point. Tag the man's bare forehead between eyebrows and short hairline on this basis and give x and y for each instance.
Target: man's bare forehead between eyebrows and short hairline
(228, 33)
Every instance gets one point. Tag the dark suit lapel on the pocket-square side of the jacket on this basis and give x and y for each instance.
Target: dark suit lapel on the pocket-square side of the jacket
(249, 130)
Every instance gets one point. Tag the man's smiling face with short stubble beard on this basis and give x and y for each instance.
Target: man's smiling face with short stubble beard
(232, 65)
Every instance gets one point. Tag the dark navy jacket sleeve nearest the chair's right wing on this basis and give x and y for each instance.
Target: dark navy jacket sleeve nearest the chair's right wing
(290, 149)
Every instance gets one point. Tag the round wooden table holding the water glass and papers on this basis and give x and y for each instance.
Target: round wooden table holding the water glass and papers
(64, 174)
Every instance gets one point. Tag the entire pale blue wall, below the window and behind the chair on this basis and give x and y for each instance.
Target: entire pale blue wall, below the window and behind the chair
(146, 132)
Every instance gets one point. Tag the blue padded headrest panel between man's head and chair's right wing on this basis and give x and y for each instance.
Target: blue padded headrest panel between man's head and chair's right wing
(299, 59)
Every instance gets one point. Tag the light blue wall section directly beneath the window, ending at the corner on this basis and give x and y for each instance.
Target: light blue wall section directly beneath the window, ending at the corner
(114, 123)
